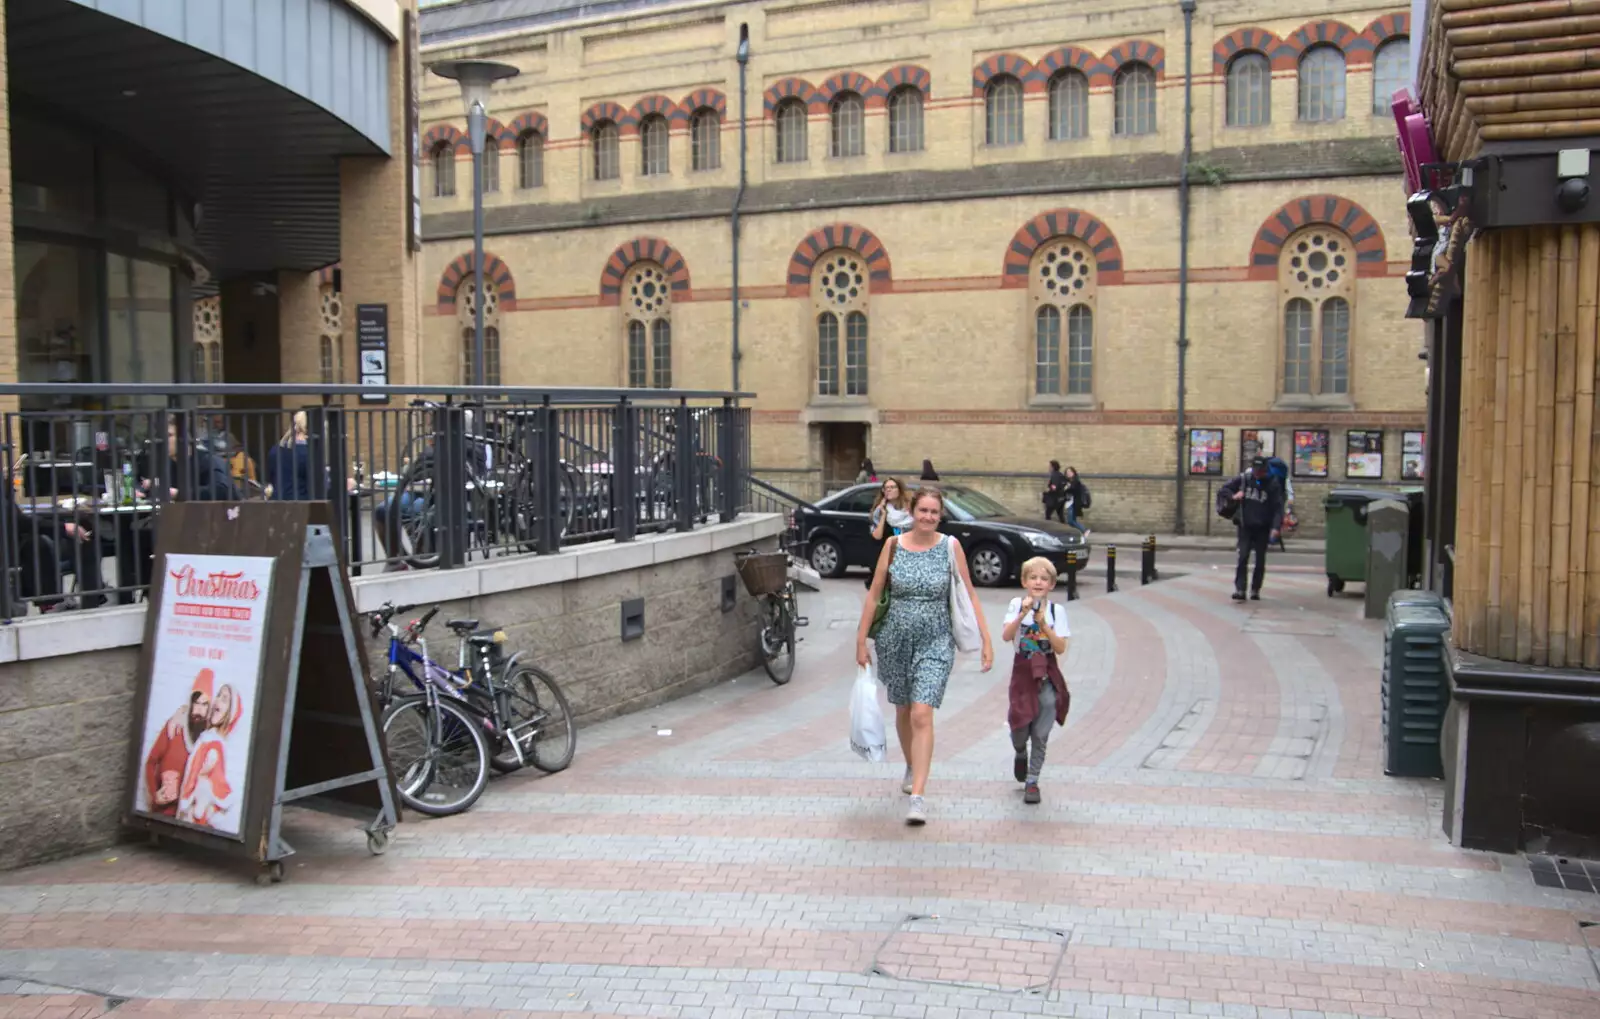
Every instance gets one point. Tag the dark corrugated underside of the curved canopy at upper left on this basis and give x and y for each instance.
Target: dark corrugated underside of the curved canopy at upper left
(260, 159)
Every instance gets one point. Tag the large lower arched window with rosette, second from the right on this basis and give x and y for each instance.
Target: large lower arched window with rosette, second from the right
(1062, 286)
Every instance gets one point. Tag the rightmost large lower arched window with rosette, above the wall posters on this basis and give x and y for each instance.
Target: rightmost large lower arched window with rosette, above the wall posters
(1318, 278)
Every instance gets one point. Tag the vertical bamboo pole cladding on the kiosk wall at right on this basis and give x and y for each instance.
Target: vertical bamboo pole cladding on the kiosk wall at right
(1527, 553)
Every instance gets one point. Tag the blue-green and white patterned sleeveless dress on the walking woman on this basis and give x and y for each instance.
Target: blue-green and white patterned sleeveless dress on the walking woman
(916, 649)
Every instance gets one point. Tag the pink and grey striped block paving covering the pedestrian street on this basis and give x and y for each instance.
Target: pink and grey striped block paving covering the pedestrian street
(1217, 839)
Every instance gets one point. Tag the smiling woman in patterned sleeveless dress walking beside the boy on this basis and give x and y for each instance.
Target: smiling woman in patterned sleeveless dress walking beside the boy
(916, 647)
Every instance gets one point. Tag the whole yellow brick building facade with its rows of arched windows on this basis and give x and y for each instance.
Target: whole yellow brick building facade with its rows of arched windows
(961, 236)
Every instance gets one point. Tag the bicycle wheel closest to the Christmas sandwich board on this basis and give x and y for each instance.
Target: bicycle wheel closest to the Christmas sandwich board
(438, 754)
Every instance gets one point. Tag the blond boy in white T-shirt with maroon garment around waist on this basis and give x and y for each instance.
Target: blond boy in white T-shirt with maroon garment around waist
(1039, 693)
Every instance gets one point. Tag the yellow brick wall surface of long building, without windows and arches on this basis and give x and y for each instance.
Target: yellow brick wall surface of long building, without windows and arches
(951, 348)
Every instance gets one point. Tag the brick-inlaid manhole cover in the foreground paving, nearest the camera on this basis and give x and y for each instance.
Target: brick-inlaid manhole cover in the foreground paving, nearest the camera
(978, 954)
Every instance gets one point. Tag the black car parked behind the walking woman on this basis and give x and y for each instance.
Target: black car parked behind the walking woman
(838, 533)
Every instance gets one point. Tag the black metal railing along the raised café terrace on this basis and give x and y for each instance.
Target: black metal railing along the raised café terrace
(436, 478)
